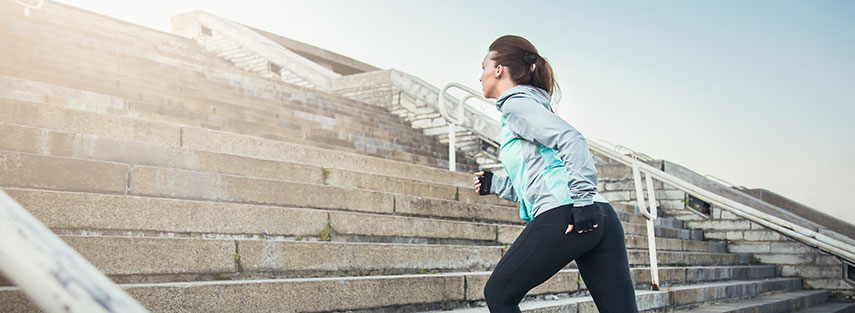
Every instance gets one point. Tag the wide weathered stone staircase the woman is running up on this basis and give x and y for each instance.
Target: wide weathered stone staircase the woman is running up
(202, 188)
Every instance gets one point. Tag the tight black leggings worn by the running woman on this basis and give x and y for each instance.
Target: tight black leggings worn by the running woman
(542, 249)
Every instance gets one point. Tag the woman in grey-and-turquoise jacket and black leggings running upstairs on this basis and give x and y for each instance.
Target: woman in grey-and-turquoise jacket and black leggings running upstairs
(552, 174)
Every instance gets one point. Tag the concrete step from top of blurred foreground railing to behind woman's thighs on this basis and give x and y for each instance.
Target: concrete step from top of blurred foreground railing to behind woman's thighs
(76, 213)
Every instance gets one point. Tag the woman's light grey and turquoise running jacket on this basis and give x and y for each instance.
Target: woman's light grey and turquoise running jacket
(547, 160)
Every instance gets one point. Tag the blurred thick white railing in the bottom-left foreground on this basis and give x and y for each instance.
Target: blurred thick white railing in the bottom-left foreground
(49, 271)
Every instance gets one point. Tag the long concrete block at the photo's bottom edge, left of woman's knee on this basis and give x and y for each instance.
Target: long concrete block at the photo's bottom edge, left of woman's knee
(300, 295)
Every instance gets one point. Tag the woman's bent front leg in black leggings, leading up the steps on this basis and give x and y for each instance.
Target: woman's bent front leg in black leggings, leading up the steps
(540, 251)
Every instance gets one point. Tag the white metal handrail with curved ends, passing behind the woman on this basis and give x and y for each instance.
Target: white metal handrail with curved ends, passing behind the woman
(807, 236)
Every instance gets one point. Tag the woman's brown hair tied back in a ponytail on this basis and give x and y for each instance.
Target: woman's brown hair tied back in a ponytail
(527, 67)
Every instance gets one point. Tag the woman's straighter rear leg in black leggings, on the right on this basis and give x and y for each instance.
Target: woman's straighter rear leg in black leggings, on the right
(605, 268)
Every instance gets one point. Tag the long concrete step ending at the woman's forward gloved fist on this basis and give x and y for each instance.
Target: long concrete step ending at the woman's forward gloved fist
(85, 122)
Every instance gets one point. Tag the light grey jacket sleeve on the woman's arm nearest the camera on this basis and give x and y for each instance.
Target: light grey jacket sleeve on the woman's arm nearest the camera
(533, 122)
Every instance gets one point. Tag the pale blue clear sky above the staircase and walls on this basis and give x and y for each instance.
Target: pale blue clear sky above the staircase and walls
(758, 93)
